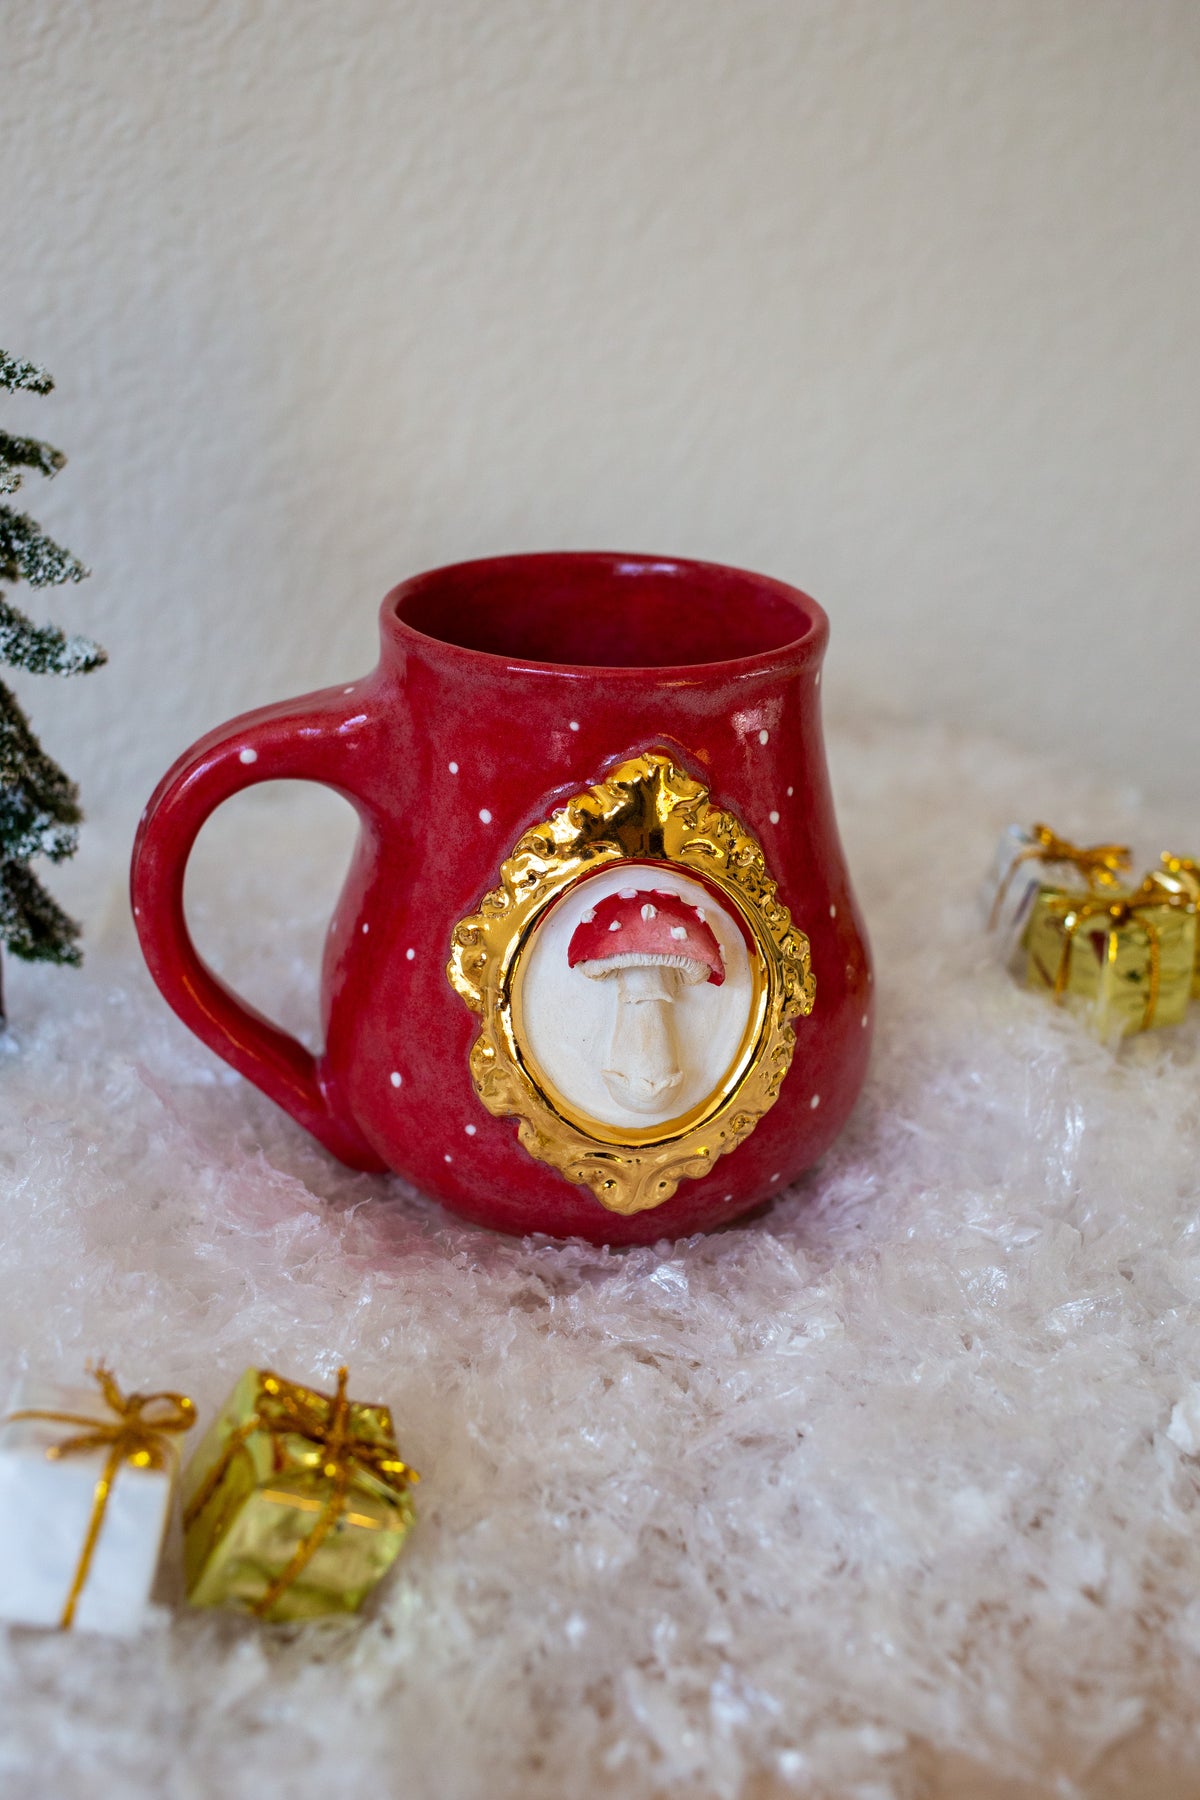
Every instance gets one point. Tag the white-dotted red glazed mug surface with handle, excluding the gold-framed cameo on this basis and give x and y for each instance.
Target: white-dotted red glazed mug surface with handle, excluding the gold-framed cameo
(506, 687)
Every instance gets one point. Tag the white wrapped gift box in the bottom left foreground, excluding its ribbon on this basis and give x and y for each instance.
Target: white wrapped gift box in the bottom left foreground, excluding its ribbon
(46, 1509)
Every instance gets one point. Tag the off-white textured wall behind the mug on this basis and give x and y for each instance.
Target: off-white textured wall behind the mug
(893, 298)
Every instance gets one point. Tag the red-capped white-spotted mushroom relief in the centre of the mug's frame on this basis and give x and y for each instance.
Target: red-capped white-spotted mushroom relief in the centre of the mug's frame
(649, 946)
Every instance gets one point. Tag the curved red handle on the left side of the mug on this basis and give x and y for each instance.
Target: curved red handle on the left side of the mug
(321, 737)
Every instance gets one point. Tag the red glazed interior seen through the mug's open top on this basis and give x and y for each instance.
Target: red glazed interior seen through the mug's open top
(600, 611)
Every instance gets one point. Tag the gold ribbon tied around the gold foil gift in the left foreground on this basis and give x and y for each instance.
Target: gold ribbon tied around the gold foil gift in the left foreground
(287, 1410)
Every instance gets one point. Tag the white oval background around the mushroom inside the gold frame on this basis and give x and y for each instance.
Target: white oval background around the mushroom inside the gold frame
(569, 1020)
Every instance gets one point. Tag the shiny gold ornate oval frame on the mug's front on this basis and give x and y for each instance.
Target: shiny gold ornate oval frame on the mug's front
(649, 811)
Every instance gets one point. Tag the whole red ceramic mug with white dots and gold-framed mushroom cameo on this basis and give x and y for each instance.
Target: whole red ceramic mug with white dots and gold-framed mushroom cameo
(596, 967)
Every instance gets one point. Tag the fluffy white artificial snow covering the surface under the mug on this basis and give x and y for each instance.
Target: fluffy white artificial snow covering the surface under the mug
(886, 1493)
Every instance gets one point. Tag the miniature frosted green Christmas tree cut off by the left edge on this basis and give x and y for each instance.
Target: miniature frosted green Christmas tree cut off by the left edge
(39, 804)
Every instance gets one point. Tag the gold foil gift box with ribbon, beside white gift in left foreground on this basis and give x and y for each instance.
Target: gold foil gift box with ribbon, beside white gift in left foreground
(296, 1502)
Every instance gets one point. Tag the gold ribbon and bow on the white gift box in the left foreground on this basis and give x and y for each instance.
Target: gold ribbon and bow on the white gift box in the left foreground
(136, 1435)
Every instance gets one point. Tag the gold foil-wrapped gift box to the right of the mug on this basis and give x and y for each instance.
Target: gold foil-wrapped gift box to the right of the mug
(1131, 958)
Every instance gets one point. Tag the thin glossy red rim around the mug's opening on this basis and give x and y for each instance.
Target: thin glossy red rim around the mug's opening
(807, 649)
